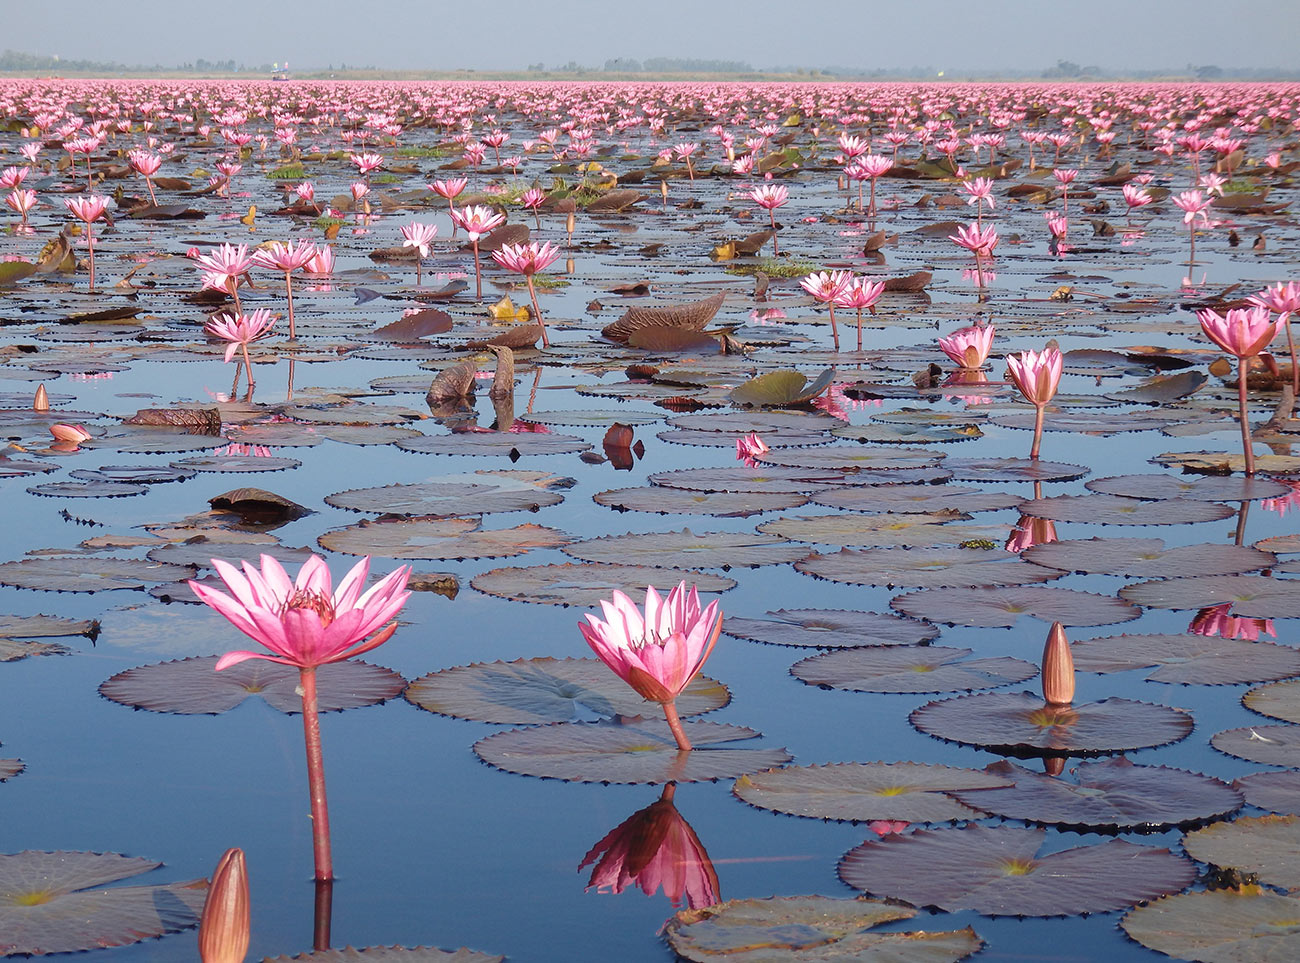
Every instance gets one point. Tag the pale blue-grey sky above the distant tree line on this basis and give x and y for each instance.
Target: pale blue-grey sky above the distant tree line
(954, 36)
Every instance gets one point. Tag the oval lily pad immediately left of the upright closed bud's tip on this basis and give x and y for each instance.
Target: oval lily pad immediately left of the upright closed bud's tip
(911, 670)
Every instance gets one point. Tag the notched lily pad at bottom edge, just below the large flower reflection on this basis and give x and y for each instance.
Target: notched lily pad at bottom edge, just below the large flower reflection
(809, 930)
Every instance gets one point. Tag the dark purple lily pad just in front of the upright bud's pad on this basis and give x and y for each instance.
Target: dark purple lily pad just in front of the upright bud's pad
(1107, 795)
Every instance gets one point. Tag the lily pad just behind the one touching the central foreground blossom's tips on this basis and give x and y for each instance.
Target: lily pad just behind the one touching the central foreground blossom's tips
(686, 549)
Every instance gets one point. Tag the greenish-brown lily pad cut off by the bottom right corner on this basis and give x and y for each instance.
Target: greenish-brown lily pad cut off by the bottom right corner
(1220, 926)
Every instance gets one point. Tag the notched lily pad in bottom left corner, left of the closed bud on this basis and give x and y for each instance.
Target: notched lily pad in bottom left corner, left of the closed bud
(57, 903)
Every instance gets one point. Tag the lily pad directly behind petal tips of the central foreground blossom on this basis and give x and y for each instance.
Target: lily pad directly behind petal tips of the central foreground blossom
(587, 584)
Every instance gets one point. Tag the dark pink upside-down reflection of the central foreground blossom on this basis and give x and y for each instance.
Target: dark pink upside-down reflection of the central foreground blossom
(655, 849)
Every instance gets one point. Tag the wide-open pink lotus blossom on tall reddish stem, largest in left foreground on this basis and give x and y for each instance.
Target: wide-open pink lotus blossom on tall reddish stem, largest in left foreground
(306, 622)
